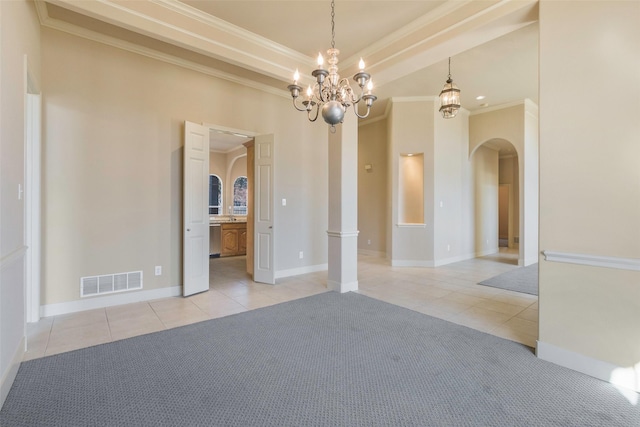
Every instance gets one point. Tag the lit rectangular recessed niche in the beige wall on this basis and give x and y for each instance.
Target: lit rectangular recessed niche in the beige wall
(411, 189)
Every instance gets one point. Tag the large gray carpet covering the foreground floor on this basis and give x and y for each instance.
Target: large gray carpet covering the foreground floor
(325, 360)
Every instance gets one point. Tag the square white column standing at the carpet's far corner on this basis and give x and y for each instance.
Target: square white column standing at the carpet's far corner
(343, 206)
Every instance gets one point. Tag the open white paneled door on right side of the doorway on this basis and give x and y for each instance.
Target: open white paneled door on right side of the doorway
(263, 264)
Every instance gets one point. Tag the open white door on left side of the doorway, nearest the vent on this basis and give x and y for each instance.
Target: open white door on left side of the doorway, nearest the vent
(196, 209)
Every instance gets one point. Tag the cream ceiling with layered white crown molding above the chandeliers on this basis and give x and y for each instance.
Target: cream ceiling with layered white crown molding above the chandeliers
(493, 44)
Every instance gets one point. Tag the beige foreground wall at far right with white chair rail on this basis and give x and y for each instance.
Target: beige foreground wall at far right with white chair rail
(590, 180)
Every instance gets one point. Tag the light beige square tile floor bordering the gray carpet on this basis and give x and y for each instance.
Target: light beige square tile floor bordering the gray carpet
(449, 292)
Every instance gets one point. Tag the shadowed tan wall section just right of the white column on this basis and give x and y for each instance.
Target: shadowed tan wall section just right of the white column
(373, 186)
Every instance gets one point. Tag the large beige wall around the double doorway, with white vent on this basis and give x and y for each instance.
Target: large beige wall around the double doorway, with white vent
(113, 165)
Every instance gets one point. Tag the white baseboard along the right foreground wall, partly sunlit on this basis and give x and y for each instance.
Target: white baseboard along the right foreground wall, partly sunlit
(625, 377)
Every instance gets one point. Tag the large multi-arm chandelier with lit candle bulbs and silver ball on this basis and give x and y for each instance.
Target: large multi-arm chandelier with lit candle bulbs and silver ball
(331, 94)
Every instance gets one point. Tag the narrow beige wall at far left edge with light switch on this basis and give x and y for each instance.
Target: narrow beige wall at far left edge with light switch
(19, 36)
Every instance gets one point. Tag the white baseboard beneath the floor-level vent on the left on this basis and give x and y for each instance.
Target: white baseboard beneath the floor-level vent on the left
(108, 301)
